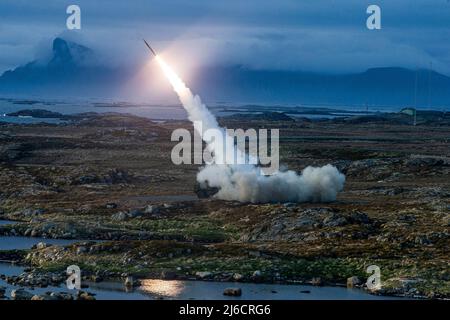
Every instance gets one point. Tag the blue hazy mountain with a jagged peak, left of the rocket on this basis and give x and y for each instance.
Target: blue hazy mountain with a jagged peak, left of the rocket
(71, 69)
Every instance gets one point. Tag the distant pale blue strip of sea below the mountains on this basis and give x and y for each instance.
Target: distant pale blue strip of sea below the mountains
(169, 112)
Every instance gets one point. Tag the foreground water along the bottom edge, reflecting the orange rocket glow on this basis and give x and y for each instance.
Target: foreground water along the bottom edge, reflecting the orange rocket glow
(200, 290)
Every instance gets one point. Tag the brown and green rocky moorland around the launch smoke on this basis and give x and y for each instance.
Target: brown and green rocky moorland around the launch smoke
(109, 177)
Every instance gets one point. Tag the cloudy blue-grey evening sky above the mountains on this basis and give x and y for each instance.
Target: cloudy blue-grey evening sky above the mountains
(313, 35)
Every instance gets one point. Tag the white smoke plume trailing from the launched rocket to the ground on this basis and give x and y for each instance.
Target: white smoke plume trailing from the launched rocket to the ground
(246, 183)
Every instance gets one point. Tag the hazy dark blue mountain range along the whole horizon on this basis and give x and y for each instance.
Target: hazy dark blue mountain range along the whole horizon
(75, 69)
